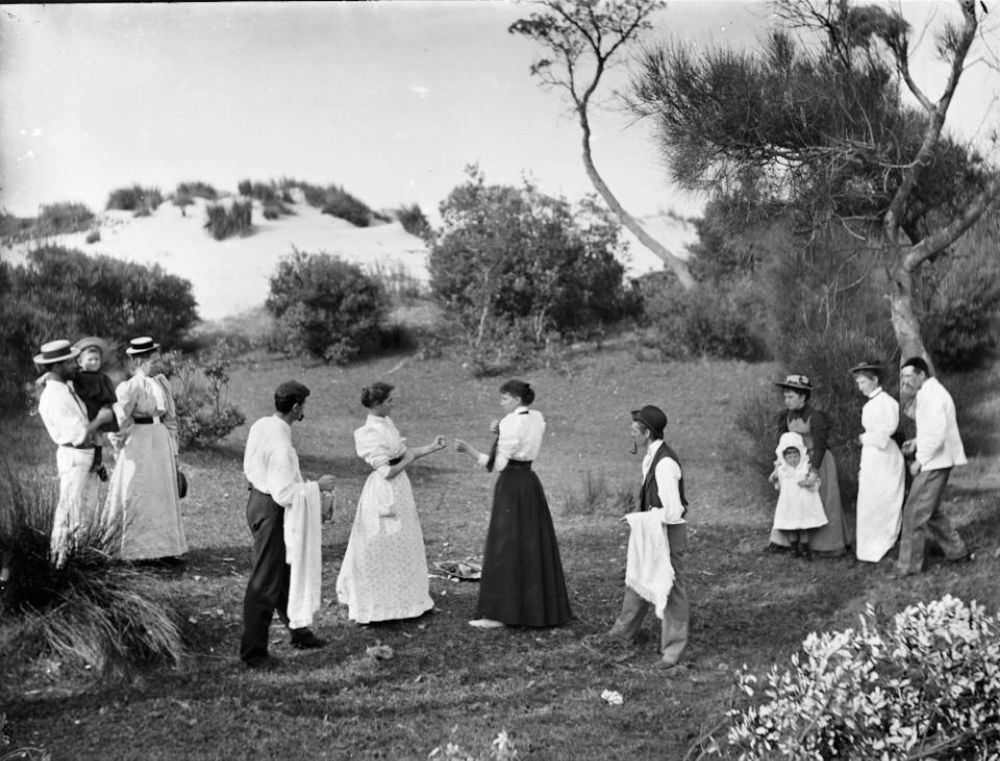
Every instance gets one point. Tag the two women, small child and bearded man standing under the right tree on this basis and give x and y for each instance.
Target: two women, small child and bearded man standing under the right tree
(809, 516)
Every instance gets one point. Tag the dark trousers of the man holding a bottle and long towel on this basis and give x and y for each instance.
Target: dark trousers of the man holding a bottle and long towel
(267, 590)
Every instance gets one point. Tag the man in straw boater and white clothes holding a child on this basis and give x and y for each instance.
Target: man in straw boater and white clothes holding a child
(65, 419)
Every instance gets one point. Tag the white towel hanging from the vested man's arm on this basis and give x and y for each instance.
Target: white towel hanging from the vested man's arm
(647, 569)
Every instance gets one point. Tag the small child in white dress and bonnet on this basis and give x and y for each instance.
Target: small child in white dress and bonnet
(799, 509)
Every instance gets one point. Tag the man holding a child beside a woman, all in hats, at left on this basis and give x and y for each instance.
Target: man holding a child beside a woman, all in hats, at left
(83, 412)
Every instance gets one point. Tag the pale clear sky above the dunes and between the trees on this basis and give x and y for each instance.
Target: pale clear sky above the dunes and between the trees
(391, 100)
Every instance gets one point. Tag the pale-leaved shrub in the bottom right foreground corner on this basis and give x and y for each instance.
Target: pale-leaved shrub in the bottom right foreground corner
(925, 685)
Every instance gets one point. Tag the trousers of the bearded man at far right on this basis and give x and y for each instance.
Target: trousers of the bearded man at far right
(923, 520)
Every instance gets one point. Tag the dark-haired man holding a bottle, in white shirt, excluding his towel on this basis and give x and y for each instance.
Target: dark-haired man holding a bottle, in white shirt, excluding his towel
(271, 466)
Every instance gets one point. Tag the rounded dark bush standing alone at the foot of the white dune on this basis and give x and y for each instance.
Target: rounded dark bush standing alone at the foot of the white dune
(326, 307)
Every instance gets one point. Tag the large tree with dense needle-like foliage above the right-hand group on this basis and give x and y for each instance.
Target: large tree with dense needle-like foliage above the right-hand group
(823, 127)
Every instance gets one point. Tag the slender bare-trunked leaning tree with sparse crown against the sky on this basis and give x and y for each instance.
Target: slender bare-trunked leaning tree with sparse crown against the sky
(583, 37)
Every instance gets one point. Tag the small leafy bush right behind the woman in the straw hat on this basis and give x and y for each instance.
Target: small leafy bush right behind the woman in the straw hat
(201, 388)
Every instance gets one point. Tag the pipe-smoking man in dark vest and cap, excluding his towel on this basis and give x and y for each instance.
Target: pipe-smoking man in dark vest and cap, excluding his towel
(662, 487)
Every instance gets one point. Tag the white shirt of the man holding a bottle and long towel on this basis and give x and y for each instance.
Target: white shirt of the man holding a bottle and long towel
(270, 462)
